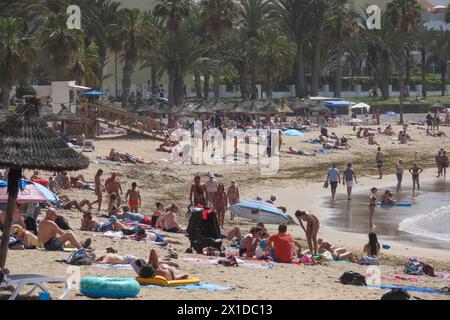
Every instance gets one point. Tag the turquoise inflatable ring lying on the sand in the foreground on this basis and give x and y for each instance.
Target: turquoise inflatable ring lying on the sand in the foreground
(96, 287)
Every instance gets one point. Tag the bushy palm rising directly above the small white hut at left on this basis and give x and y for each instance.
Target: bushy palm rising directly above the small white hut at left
(60, 43)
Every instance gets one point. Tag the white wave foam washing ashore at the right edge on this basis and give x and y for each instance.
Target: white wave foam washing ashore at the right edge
(434, 225)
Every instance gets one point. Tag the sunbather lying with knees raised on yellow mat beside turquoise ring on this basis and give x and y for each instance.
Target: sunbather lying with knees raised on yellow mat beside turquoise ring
(153, 268)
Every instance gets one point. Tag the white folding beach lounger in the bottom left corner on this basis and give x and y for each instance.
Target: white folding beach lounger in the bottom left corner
(19, 281)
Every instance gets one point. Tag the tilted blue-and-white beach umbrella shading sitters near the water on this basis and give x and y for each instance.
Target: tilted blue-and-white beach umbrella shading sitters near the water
(259, 211)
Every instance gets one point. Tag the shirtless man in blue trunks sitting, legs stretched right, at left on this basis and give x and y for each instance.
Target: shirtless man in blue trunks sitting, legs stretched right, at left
(54, 238)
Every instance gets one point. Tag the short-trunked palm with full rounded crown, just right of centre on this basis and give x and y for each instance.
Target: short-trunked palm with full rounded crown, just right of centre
(275, 56)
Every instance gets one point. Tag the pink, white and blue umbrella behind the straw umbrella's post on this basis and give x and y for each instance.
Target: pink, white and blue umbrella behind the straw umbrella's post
(29, 192)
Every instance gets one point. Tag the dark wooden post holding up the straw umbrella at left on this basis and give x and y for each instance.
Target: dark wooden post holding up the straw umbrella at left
(14, 176)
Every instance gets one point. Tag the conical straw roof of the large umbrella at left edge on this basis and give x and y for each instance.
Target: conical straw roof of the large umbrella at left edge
(28, 142)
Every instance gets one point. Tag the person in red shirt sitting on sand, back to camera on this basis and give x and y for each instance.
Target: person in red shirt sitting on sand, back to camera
(282, 244)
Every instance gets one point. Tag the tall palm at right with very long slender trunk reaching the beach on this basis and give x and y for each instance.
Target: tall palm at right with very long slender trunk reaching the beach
(404, 15)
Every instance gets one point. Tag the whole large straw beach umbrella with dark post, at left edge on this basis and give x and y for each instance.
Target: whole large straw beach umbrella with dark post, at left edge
(27, 142)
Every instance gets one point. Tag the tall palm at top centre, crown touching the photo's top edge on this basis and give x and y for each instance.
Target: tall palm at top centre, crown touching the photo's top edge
(217, 17)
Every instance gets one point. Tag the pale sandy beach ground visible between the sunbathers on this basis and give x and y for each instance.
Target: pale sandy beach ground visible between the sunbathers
(298, 184)
